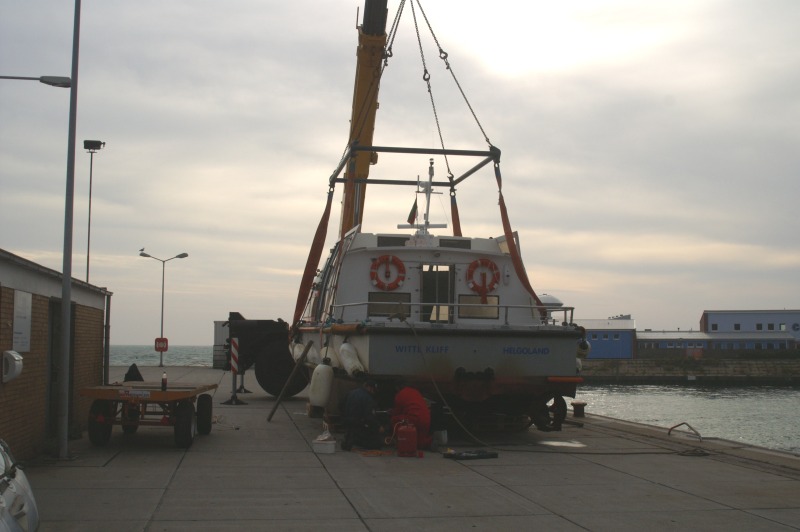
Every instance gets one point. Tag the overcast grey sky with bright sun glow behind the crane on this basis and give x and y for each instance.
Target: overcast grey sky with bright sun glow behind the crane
(650, 153)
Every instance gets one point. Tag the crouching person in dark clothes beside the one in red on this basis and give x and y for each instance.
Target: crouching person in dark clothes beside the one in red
(360, 421)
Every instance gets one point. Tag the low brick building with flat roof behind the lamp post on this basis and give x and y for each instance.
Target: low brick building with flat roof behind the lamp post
(30, 324)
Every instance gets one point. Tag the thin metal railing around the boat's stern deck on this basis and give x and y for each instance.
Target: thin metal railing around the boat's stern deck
(443, 313)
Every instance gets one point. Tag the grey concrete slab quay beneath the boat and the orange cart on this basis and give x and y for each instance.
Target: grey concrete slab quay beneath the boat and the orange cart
(249, 474)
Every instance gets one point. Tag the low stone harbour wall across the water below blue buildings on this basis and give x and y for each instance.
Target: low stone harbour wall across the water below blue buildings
(682, 370)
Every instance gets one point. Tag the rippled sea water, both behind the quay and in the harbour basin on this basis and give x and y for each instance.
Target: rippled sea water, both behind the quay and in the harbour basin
(765, 416)
